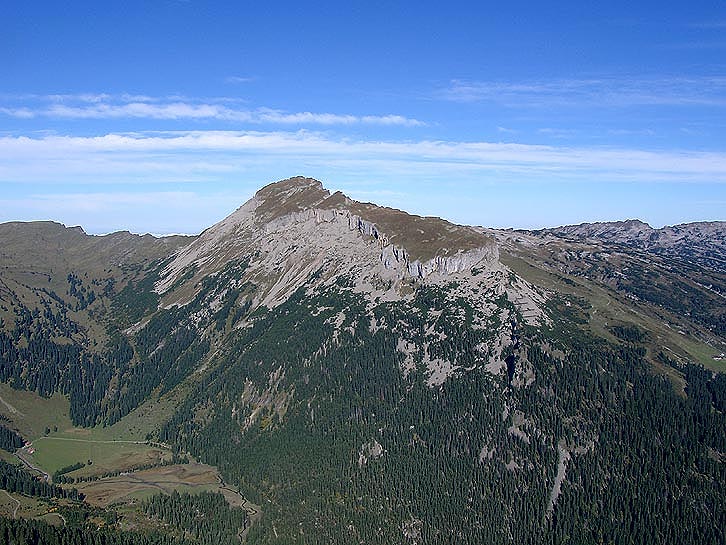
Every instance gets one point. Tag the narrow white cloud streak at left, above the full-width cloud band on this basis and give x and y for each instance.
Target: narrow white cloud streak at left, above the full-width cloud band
(103, 106)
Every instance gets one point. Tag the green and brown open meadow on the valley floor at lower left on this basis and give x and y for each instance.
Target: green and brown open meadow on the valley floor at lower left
(118, 448)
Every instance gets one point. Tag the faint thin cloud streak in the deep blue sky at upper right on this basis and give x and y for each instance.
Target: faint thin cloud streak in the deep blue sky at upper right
(592, 92)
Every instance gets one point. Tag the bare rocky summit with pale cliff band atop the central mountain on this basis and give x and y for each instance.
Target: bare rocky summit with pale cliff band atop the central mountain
(296, 224)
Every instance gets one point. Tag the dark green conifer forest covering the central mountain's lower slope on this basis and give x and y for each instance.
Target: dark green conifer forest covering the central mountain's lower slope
(584, 444)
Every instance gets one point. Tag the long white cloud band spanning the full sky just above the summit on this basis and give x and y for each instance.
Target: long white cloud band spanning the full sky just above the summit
(214, 155)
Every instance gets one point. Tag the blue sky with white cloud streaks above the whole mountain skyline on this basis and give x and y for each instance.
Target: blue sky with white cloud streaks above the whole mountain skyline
(165, 116)
